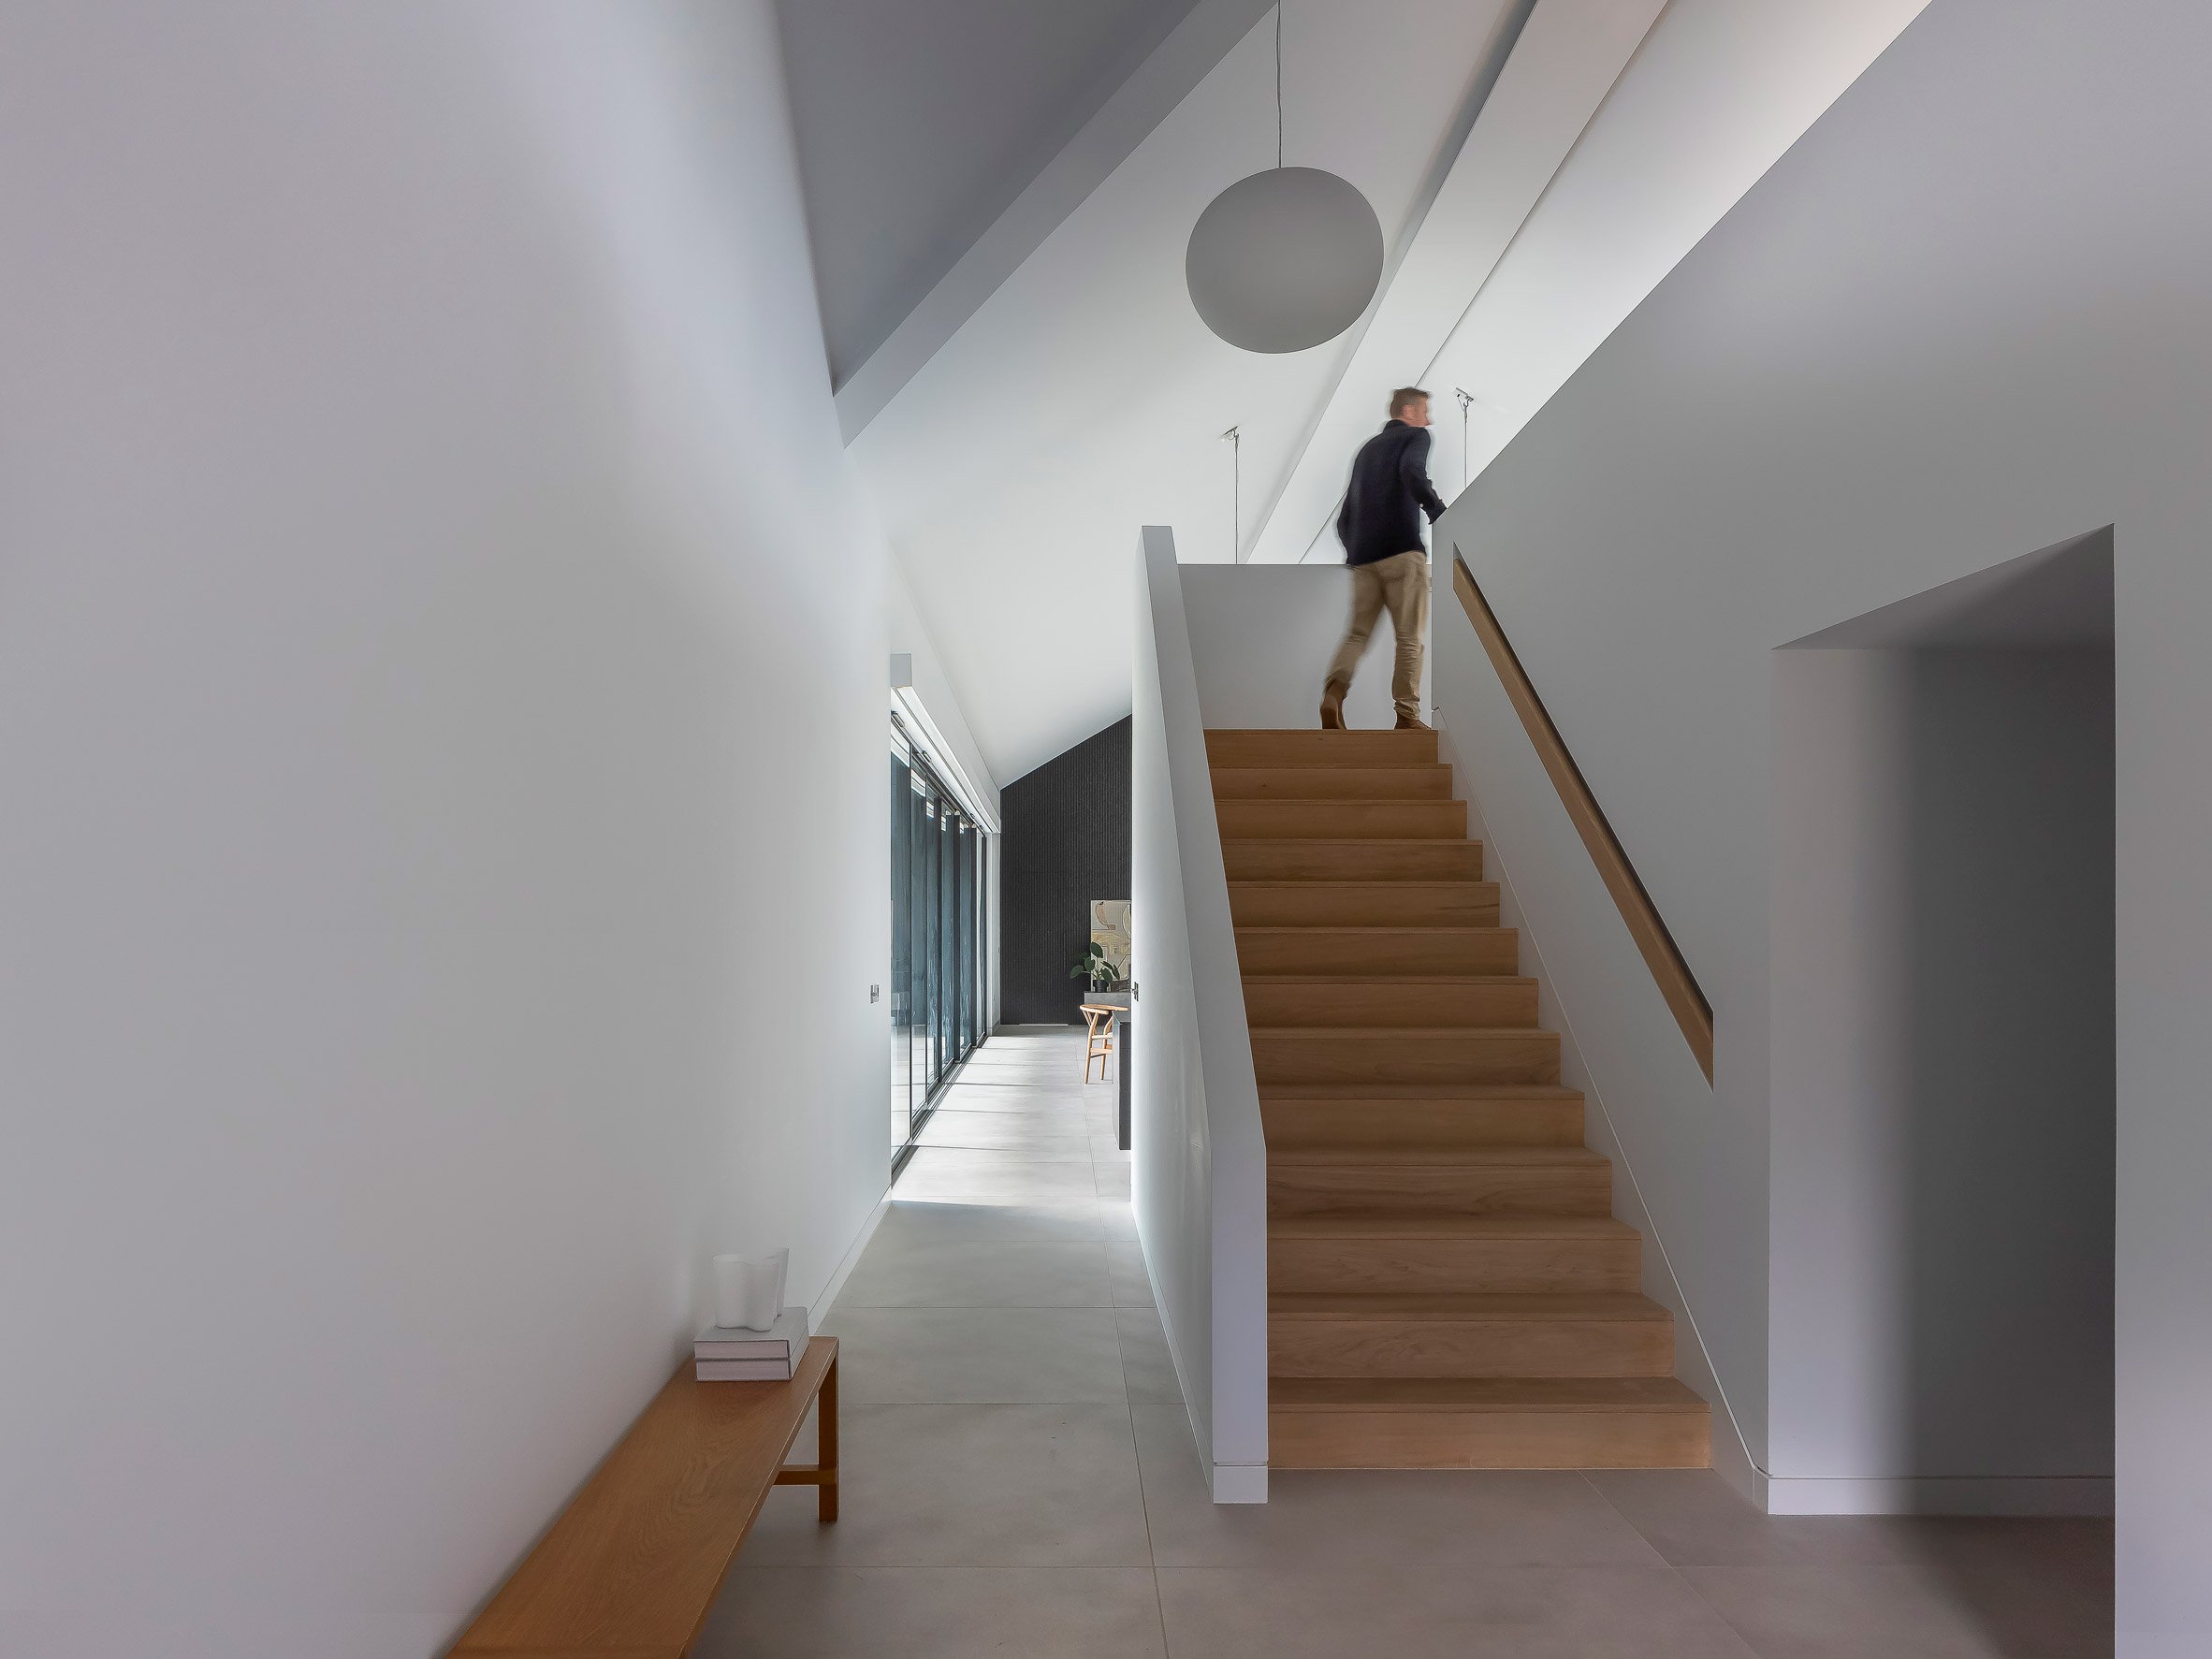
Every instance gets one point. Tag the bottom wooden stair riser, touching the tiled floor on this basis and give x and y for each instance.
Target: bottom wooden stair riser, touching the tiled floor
(1490, 1441)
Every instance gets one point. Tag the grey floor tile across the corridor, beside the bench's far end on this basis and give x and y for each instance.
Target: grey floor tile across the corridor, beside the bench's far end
(979, 1355)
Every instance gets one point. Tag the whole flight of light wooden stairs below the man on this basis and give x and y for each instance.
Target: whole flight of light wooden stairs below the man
(1448, 1286)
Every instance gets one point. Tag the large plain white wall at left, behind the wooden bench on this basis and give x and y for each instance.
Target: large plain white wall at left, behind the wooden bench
(444, 722)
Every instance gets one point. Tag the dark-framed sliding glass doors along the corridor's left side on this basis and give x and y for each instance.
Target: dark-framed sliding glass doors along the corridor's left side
(937, 937)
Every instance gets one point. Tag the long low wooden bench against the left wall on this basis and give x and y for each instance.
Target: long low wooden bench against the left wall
(632, 1567)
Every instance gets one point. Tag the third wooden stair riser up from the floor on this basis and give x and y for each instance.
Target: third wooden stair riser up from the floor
(1496, 1266)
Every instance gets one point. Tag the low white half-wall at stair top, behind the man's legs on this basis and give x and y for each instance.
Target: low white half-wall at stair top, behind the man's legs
(1262, 638)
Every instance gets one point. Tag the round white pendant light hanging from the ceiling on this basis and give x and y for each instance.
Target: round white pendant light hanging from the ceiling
(1284, 260)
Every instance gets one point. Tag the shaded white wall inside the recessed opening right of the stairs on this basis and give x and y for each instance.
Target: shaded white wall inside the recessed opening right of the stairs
(1943, 1076)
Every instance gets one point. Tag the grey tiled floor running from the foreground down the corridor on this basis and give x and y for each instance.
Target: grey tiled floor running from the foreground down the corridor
(1021, 1481)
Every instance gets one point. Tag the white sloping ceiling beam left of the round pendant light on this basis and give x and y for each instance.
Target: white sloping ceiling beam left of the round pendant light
(1165, 81)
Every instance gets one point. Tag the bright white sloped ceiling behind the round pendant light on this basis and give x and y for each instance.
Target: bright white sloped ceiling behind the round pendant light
(1081, 397)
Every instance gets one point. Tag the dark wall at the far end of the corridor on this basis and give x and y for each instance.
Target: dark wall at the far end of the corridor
(1067, 844)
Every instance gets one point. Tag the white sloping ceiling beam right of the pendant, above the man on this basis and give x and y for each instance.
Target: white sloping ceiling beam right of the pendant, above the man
(1563, 65)
